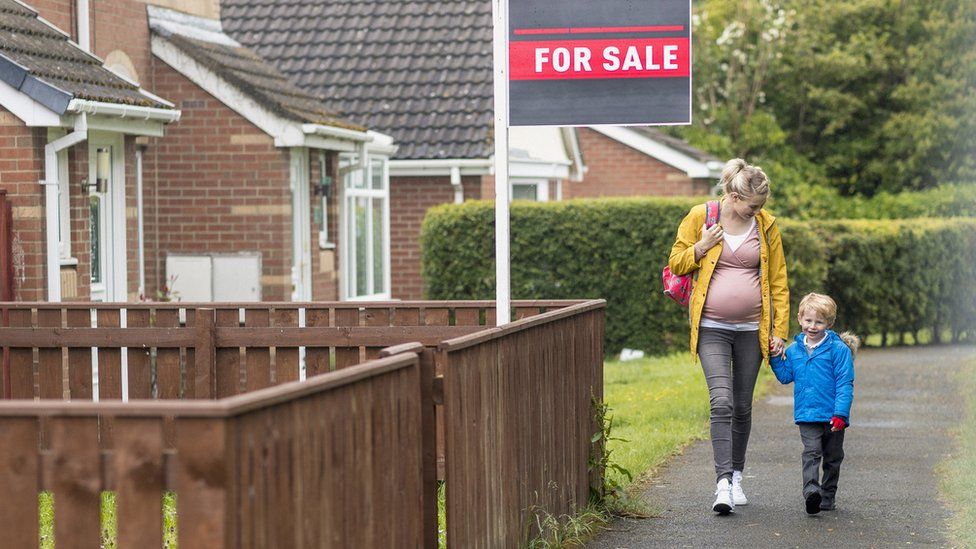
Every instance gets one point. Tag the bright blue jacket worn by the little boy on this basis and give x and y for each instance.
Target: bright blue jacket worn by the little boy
(823, 380)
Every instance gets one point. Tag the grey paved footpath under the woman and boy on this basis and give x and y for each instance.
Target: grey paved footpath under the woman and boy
(905, 404)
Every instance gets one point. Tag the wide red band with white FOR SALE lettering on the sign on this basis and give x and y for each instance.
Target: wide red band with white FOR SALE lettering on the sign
(609, 58)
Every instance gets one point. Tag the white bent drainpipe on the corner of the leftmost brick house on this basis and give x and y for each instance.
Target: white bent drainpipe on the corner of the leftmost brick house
(52, 209)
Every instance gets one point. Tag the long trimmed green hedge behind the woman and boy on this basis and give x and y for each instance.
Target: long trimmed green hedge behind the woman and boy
(615, 249)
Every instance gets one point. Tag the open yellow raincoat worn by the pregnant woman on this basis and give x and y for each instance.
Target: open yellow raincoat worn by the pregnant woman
(775, 292)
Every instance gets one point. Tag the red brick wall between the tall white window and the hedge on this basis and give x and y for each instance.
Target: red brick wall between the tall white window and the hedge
(410, 197)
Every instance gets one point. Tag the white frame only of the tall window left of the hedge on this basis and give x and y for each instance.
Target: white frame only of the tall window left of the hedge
(350, 171)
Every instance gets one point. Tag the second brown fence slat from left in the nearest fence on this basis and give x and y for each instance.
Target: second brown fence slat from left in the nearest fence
(76, 482)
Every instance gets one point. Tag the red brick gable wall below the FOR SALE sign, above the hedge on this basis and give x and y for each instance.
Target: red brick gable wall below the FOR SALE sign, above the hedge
(614, 169)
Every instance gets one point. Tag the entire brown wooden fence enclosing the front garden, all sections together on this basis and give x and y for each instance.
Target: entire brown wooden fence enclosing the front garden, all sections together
(345, 458)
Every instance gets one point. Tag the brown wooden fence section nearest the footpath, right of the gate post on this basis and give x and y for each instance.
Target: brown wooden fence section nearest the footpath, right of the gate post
(519, 423)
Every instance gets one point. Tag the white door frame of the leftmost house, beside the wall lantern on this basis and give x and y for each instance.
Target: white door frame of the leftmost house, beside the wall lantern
(114, 286)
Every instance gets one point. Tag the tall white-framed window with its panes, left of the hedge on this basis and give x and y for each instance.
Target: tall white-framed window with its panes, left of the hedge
(366, 220)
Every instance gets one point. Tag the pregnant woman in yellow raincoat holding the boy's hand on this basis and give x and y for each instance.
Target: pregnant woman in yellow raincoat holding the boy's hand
(739, 311)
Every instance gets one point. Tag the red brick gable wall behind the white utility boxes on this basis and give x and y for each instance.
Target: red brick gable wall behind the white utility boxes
(218, 185)
